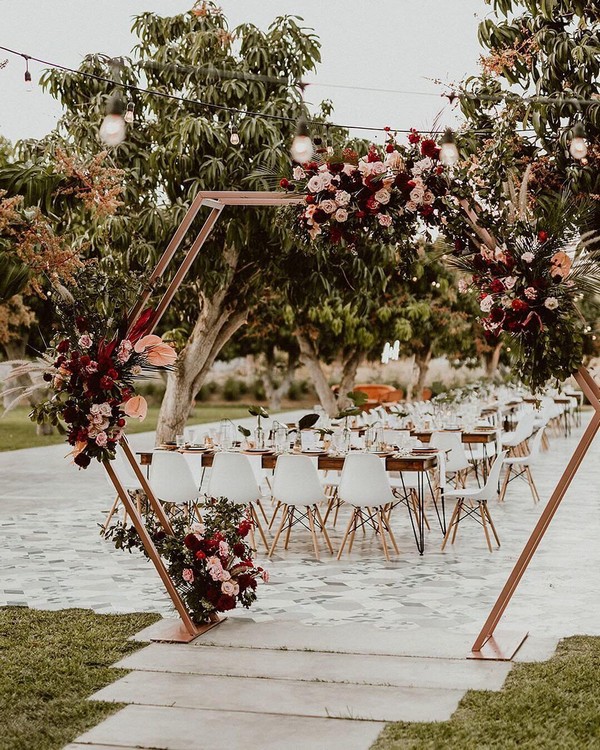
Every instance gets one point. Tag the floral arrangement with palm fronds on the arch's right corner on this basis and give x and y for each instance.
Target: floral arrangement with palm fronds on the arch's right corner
(529, 287)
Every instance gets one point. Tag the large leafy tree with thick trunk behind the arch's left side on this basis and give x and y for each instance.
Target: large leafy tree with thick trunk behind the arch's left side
(176, 149)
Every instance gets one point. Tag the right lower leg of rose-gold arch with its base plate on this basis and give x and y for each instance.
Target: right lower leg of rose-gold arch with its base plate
(488, 644)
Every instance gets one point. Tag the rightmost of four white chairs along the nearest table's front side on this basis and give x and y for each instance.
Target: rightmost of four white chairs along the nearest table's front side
(364, 484)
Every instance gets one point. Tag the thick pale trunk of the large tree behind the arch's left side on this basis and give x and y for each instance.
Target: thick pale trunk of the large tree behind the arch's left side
(217, 322)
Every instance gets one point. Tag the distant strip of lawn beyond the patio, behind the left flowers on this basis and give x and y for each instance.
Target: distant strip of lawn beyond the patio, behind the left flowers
(17, 431)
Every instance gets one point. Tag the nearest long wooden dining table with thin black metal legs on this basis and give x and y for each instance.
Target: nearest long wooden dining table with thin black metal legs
(421, 464)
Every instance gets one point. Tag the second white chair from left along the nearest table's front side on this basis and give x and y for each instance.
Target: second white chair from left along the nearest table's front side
(232, 476)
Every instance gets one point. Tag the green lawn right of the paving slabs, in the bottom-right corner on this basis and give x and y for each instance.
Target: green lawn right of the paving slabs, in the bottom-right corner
(553, 705)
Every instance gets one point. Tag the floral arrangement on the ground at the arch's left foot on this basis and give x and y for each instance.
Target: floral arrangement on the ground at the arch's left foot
(211, 563)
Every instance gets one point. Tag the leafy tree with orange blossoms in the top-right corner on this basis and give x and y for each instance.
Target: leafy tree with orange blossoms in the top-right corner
(551, 50)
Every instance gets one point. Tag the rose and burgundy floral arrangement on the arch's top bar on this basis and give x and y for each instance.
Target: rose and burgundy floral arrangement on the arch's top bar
(383, 195)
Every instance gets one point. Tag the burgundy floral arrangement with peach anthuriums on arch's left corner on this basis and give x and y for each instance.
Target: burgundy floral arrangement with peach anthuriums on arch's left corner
(91, 368)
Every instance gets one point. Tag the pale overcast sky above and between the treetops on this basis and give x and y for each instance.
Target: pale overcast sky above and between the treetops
(381, 44)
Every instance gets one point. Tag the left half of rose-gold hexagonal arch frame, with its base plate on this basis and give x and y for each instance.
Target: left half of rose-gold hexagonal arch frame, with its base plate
(185, 630)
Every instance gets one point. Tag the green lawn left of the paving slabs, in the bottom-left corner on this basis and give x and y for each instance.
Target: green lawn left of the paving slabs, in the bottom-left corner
(50, 663)
